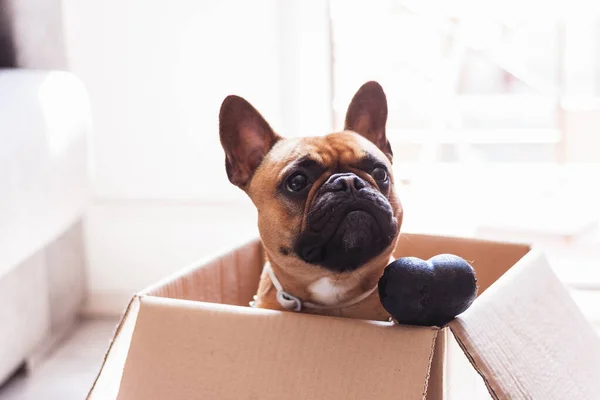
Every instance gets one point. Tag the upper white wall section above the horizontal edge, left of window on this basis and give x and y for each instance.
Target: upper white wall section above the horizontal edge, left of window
(157, 74)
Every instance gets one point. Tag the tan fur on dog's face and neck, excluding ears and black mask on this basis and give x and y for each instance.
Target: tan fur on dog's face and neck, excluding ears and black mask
(279, 223)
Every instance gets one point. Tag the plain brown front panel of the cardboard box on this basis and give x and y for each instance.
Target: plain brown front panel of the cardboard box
(191, 350)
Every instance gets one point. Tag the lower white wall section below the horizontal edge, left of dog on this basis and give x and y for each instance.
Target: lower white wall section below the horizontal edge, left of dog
(131, 245)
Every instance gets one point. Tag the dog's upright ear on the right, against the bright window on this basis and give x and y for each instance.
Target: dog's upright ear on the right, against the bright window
(367, 115)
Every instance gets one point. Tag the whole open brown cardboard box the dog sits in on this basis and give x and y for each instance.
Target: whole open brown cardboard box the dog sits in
(194, 337)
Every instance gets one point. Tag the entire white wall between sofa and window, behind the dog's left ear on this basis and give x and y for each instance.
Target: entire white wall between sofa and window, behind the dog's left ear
(157, 72)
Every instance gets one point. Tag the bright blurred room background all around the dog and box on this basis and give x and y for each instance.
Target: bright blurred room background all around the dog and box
(112, 176)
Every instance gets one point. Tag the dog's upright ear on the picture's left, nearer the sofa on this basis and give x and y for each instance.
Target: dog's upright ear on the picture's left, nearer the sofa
(246, 138)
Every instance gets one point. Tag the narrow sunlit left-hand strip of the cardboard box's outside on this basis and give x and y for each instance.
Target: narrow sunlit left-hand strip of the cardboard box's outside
(106, 385)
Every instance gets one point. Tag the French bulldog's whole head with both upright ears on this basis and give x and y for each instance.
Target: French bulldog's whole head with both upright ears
(326, 202)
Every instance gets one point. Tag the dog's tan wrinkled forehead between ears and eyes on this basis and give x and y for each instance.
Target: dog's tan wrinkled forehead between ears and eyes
(333, 150)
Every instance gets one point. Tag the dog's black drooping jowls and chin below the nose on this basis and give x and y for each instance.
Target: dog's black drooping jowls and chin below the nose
(359, 237)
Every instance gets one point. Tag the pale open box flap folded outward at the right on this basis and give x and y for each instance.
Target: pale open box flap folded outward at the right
(527, 338)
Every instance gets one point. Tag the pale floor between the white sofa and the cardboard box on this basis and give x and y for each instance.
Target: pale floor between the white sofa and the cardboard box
(67, 372)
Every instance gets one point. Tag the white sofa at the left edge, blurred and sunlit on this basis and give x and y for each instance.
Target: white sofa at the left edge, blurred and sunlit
(44, 129)
